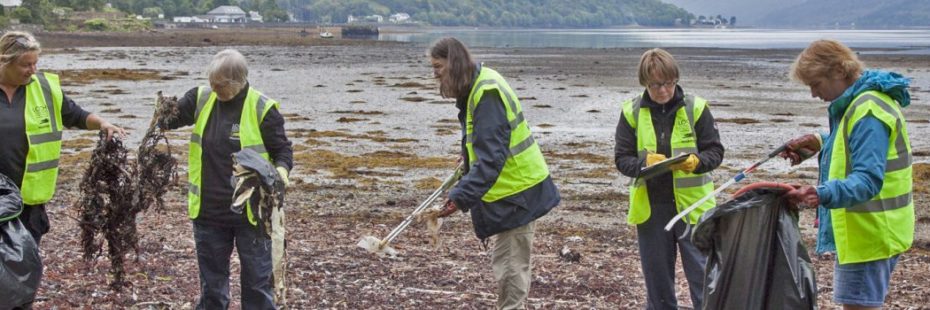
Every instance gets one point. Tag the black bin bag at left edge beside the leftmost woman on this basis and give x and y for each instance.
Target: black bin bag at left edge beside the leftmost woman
(20, 265)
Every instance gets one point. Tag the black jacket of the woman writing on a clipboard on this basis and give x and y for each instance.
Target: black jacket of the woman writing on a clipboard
(660, 188)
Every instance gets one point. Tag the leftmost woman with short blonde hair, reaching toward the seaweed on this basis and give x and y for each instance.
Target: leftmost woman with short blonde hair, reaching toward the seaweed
(33, 112)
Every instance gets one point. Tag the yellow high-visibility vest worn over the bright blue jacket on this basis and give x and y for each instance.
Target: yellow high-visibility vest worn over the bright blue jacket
(883, 226)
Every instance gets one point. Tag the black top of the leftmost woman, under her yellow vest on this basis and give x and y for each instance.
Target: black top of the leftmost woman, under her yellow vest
(15, 146)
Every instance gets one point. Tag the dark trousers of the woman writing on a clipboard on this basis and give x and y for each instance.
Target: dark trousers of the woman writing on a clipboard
(657, 253)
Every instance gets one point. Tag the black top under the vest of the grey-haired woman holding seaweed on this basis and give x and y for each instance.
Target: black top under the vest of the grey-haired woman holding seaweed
(218, 147)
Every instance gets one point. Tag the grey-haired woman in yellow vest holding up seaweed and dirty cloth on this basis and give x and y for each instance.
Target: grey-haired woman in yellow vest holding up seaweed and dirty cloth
(228, 116)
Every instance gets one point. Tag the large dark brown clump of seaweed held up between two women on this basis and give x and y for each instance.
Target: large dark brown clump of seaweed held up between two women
(114, 191)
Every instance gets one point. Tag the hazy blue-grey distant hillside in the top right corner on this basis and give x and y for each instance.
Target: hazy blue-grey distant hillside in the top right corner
(864, 13)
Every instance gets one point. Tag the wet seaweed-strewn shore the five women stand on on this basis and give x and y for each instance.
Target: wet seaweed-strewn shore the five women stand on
(373, 137)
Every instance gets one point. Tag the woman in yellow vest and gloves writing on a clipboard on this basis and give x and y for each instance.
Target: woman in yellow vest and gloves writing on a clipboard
(660, 123)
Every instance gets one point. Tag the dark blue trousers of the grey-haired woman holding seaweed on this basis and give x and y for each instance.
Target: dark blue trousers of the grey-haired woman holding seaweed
(214, 247)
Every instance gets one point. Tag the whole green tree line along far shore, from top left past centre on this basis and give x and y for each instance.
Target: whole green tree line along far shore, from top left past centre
(512, 13)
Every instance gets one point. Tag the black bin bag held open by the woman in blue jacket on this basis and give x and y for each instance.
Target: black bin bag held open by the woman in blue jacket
(755, 258)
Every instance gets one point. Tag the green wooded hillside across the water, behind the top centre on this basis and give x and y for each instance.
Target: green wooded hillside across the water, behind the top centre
(511, 13)
